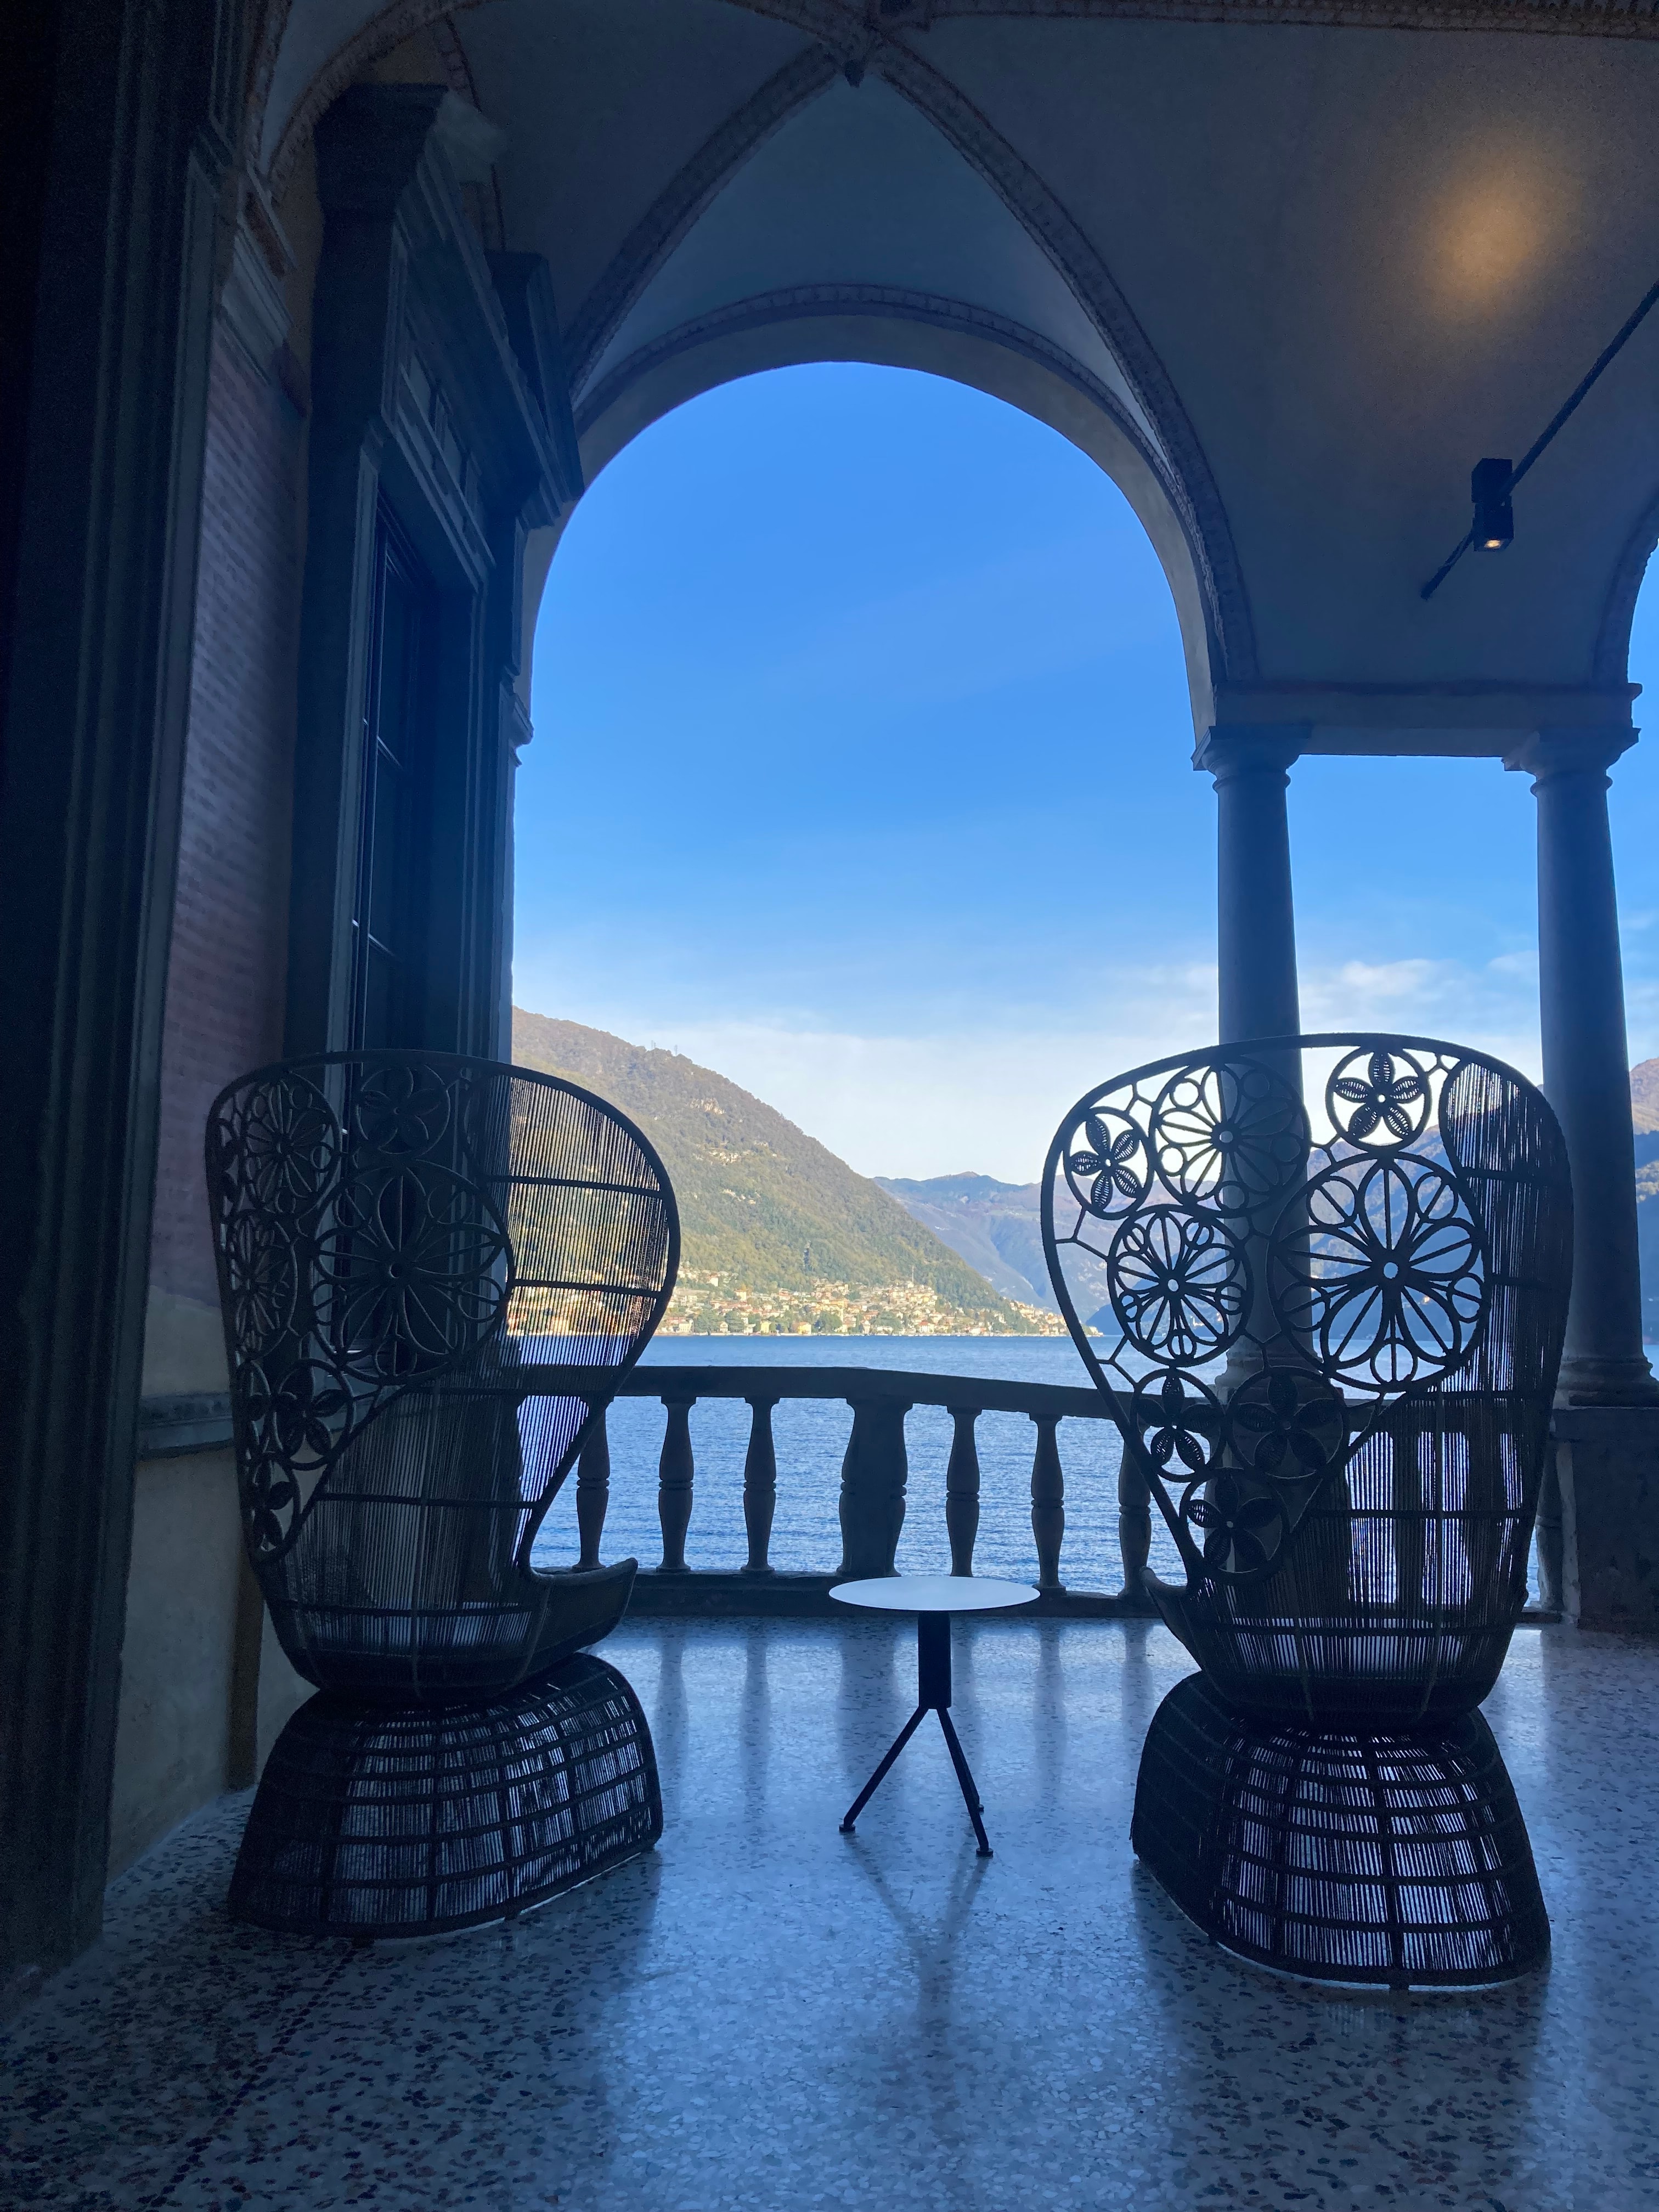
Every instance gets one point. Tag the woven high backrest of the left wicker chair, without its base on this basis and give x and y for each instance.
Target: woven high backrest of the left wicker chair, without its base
(399, 1235)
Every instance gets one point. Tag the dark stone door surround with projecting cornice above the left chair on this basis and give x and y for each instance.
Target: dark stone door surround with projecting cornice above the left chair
(430, 399)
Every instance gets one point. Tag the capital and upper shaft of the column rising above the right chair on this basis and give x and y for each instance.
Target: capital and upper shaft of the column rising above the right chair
(1255, 910)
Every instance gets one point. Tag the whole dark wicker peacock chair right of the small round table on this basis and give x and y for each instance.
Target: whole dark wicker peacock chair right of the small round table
(1331, 1353)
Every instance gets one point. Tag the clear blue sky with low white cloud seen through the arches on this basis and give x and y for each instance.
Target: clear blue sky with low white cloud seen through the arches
(862, 773)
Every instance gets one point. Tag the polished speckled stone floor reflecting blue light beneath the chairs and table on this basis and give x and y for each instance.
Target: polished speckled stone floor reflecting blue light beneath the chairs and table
(771, 2016)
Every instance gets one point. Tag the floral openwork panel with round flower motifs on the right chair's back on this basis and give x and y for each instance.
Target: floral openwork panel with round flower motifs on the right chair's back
(1258, 1293)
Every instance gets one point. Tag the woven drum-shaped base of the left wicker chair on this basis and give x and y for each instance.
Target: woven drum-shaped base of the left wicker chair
(410, 1822)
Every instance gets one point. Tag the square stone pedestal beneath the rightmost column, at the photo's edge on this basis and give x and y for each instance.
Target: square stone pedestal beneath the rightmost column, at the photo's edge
(1607, 1463)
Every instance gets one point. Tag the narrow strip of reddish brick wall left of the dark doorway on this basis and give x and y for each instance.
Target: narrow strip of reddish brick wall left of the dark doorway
(225, 1010)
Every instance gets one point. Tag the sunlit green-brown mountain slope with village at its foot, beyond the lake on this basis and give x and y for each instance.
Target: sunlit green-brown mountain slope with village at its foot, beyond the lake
(775, 1231)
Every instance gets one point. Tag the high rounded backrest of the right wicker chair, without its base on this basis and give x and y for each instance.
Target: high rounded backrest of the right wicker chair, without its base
(1331, 1339)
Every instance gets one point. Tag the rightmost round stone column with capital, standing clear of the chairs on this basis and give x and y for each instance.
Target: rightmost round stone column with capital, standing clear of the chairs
(1587, 1067)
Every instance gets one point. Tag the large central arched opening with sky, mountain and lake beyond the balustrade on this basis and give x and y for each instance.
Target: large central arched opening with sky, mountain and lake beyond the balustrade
(862, 780)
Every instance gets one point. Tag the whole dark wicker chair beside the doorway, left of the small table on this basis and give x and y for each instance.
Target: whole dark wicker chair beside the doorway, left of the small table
(415, 1253)
